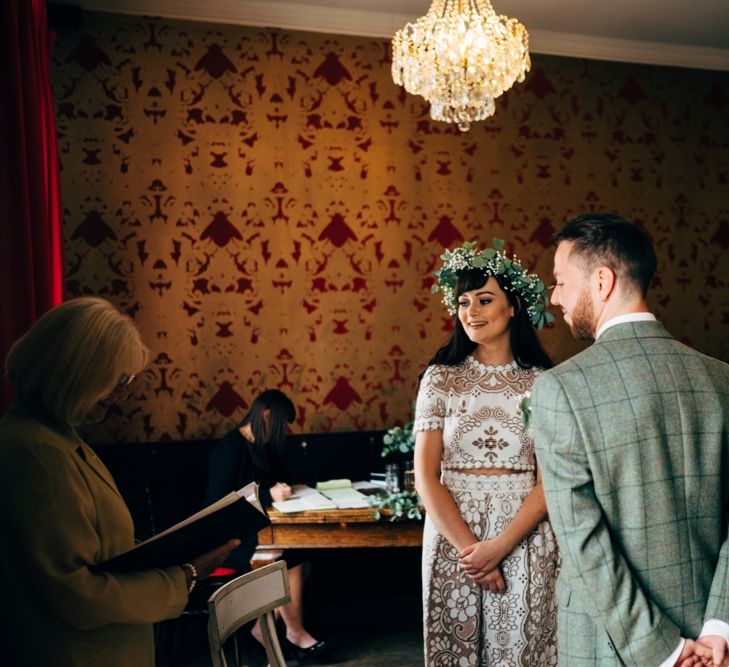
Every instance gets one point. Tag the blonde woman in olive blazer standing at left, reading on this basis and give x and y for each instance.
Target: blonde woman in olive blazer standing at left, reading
(61, 510)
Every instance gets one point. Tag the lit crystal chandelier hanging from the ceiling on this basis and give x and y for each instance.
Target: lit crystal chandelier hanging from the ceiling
(460, 57)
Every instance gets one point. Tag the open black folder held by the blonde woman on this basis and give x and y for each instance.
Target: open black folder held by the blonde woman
(233, 516)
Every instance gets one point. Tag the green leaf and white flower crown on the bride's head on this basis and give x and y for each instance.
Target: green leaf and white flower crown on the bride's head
(527, 286)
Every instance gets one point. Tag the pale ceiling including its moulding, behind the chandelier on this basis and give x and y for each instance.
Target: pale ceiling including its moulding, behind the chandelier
(656, 32)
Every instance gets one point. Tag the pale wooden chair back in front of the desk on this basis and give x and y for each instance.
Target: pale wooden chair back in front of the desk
(250, 596)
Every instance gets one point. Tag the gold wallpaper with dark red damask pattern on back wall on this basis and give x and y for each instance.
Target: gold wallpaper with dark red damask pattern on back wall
(269, 207)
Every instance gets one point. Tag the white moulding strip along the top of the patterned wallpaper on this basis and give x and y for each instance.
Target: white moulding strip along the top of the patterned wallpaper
(344, 21)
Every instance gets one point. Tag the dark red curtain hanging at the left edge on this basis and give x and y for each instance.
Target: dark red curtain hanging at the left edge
(31, 262)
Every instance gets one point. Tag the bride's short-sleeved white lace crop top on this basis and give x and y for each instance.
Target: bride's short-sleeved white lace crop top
(477, 408)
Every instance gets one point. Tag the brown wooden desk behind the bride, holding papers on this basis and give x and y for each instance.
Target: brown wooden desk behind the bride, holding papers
(332, 529)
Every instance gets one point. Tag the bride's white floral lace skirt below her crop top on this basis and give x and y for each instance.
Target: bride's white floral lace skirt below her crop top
(465, 625)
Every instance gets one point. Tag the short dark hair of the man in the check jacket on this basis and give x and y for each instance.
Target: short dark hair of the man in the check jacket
(606, 239)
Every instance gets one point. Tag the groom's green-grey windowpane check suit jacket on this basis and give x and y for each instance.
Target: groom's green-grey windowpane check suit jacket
(632, 437)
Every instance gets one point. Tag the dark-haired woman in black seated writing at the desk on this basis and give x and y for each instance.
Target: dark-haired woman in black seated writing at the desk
(252, 452)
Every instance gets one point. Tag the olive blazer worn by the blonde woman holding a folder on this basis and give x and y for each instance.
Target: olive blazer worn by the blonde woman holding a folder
(60, 512)
